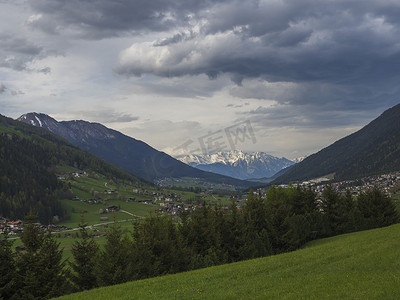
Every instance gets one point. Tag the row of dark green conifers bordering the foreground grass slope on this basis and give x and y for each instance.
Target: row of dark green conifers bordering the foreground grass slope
(283, 220)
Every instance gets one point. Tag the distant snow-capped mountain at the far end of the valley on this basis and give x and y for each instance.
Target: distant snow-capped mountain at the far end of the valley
(238, 164)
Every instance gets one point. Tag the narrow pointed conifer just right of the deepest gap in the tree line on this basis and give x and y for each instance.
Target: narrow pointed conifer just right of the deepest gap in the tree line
(84, 252)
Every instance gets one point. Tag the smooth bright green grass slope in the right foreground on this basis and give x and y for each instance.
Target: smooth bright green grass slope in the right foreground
(363, 265)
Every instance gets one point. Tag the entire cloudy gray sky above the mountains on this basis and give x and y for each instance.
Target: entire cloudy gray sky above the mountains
(283, 77)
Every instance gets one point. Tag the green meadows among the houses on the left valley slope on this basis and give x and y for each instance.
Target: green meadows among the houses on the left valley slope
(85, 187)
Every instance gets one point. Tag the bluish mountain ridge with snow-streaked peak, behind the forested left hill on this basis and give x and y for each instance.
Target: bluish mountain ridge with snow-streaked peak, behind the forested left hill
(134, 156)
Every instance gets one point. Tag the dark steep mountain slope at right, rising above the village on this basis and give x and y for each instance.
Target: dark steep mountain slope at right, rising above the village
(374, 149)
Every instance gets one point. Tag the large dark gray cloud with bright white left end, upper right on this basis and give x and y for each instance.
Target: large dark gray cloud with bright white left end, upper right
(340, 45)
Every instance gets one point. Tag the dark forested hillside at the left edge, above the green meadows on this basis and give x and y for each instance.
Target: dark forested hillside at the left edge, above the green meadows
(29, 159)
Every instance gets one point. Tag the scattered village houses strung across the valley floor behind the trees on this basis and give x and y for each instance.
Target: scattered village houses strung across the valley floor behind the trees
(171, 203)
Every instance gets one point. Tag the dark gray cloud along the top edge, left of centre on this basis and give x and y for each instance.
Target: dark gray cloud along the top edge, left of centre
(103, 18)
